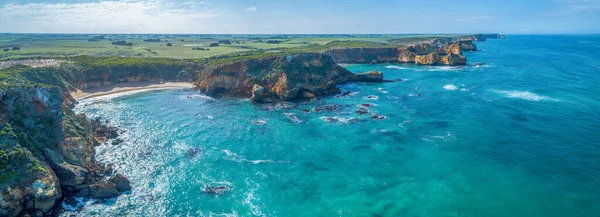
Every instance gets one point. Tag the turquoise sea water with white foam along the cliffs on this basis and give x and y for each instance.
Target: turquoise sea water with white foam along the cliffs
(516, 135)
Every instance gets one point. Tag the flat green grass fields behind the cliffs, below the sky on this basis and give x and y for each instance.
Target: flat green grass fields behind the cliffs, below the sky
(65, 45)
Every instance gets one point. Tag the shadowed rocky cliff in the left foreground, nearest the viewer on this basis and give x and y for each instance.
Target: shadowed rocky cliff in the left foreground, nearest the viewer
(44, 149)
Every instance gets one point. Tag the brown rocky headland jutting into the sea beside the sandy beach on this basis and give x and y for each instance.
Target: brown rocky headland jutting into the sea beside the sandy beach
(279, 78)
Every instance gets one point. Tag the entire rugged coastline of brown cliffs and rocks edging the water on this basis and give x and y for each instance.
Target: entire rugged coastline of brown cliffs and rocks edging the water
(47, 151)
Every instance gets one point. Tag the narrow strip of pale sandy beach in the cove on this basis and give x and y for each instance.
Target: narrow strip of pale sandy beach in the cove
(127, 87)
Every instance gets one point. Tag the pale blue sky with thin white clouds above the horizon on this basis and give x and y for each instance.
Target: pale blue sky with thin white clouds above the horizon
(300, 16)
